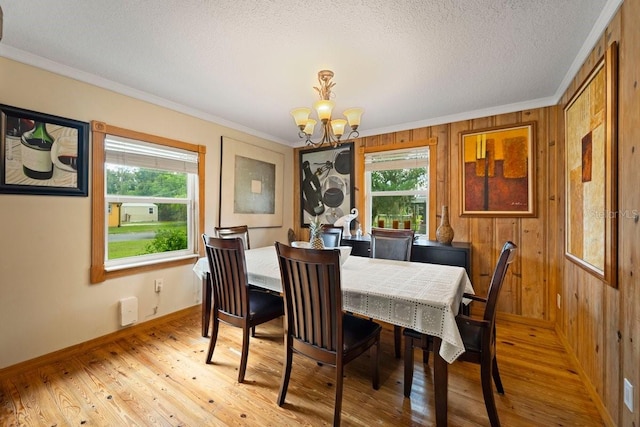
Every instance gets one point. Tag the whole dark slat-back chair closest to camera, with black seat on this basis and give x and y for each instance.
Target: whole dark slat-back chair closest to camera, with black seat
(315, 325)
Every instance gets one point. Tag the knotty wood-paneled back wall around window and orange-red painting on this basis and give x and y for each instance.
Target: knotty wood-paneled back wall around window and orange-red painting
(531, 280)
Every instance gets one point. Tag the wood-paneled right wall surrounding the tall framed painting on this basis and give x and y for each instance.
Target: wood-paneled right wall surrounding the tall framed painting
(599, 323)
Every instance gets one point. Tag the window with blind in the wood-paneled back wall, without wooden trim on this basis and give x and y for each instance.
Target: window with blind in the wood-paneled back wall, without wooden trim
(398, 184)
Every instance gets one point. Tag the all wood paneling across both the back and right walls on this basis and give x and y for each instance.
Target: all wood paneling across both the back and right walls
(599, 324)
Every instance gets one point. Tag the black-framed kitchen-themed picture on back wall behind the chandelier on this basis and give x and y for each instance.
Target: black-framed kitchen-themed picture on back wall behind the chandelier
(326, 183)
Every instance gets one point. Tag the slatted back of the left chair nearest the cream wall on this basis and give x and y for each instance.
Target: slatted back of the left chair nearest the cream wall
(228, 275)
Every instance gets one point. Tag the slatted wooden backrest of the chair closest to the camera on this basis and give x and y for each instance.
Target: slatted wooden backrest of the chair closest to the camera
(312, 295)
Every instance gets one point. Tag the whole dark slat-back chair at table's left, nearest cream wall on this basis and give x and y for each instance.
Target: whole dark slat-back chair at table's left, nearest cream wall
(234, 303)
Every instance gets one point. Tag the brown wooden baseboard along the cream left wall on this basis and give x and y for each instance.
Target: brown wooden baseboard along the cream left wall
(84, 346)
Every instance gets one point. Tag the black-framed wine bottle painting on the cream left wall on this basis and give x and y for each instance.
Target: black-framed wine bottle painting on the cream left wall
(42, 154)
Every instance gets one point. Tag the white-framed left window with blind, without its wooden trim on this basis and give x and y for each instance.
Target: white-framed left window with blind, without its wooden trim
(150, 197)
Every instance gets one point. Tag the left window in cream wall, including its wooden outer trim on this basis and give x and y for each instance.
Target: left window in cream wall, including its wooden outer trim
(147, 202)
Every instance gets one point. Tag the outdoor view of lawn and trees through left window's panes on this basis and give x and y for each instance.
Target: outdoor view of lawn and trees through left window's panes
(147, 212)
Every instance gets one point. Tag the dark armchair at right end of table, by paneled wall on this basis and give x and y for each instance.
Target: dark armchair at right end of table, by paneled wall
(478, 335)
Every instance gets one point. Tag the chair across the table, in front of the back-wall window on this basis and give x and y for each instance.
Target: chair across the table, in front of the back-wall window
(392, 244)
